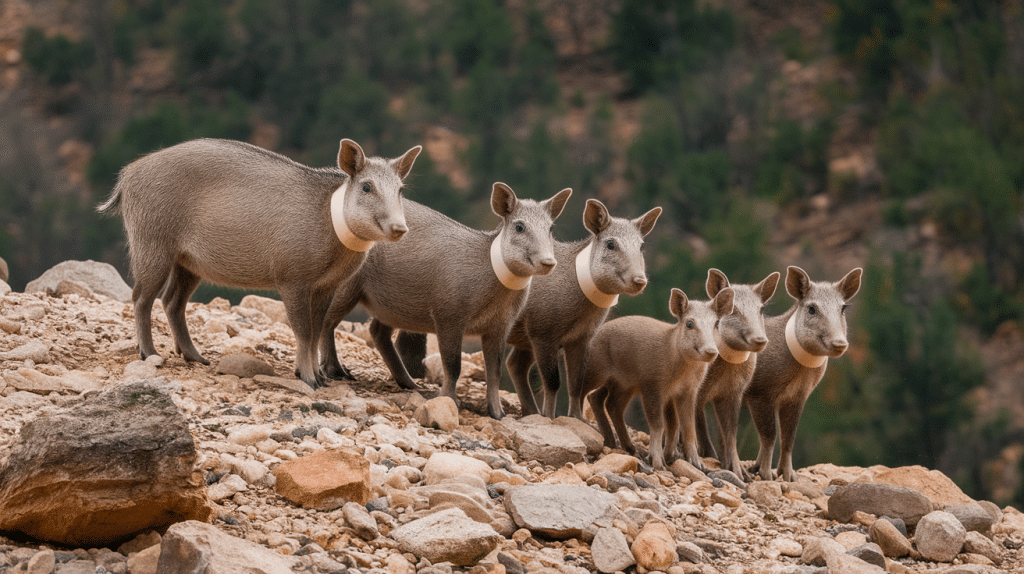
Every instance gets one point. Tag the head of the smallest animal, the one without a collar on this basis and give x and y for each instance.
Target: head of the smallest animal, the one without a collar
(696, 330)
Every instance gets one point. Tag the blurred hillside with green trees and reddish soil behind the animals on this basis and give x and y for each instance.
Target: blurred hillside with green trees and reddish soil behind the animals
(887, 135)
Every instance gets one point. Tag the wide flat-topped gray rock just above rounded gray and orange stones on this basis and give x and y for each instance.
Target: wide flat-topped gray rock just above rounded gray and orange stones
(558, 511)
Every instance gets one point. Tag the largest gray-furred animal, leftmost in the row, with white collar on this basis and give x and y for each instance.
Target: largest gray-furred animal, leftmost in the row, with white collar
(242, 216)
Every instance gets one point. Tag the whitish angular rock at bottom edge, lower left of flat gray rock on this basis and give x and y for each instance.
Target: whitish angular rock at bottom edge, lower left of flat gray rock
(447, 537)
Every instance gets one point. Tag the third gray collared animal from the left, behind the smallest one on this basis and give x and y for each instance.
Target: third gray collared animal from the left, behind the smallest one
(560, 316)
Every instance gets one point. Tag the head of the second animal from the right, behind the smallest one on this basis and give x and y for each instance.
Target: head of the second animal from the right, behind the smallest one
(744, 329)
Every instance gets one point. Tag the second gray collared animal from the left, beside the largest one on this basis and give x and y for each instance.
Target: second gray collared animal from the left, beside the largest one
(442, 282)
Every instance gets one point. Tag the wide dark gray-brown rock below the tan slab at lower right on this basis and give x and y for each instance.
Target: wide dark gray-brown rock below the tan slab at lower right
(879, 500)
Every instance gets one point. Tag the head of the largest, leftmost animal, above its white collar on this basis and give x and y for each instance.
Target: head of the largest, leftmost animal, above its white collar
(373, 208)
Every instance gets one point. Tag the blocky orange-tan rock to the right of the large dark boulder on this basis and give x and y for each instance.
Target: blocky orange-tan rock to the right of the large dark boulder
(325, 480)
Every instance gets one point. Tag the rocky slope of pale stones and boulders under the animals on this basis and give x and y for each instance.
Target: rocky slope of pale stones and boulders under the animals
(365, 477)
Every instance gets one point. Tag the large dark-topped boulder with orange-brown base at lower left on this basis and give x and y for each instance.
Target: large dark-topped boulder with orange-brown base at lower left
(103, 470)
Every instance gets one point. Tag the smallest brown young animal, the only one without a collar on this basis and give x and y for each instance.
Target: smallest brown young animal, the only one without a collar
(662, 363)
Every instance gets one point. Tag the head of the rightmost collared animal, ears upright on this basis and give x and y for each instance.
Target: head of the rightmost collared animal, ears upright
(820, 321)
